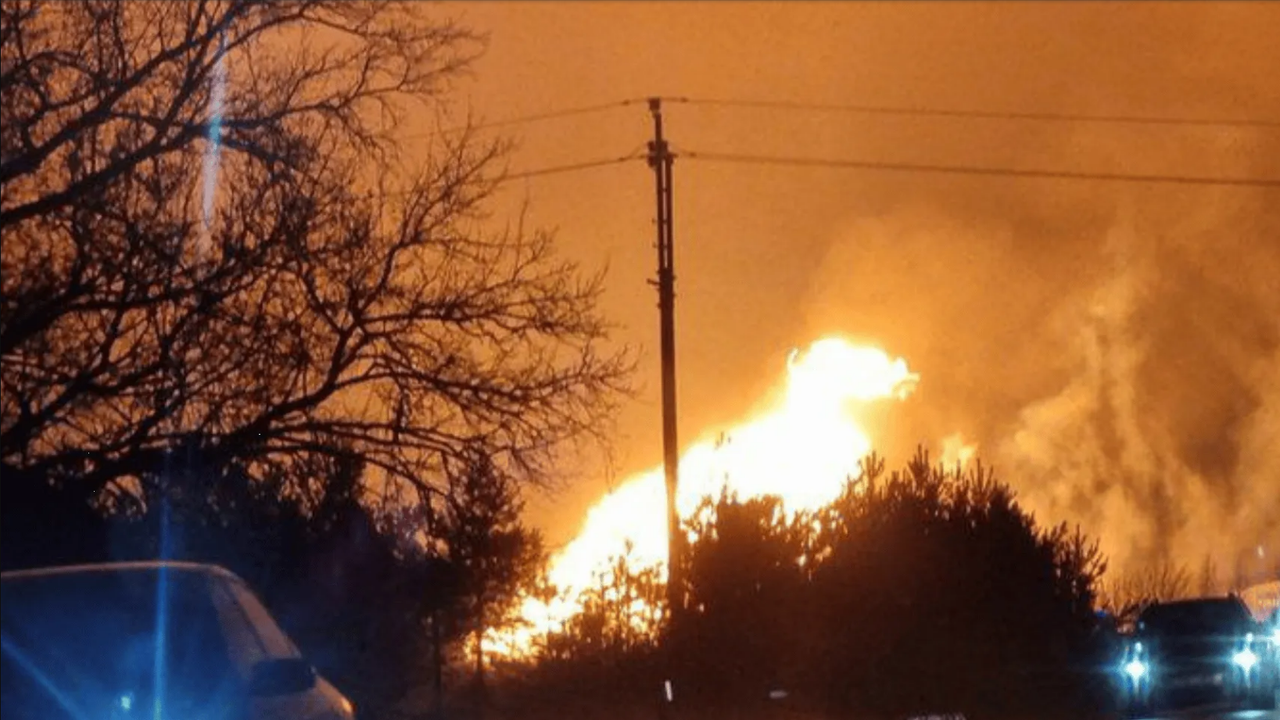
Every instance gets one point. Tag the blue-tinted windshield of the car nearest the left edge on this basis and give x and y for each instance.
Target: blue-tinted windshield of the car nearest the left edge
(99, 640)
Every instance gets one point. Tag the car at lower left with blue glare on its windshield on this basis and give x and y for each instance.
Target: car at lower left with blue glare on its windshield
(157, 640)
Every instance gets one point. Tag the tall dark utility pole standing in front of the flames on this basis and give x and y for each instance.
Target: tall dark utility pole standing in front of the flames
(661, 161)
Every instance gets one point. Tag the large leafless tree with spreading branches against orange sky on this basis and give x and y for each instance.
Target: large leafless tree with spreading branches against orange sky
(212, 241)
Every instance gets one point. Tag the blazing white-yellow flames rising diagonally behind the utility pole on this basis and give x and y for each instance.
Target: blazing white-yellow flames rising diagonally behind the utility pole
(802, 449)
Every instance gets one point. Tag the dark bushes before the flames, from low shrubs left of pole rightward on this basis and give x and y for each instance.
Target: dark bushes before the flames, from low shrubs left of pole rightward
(925, 590)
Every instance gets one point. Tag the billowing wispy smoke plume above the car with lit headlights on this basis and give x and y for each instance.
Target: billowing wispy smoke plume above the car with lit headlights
(1164, 439)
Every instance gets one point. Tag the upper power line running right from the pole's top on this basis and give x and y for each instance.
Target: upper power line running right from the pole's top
(979, 115)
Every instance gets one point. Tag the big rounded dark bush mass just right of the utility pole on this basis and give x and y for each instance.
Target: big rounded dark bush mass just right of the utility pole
(925, 590)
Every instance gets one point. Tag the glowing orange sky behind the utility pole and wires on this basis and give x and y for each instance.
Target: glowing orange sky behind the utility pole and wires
(981, 284)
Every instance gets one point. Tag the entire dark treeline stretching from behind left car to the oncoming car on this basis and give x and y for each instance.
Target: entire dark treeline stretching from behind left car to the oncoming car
(924, 590)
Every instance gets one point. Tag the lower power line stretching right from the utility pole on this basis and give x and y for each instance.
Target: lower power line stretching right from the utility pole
(977, 171)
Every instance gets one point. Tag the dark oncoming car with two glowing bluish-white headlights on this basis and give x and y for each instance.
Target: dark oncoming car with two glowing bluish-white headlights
(1199, 650)
